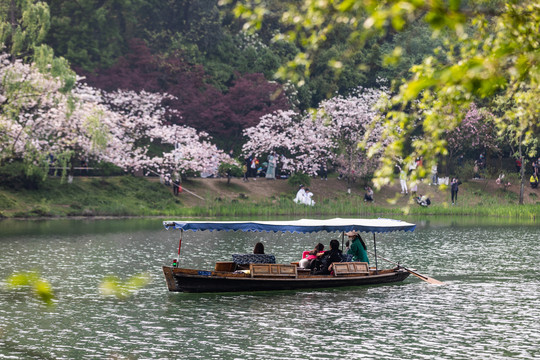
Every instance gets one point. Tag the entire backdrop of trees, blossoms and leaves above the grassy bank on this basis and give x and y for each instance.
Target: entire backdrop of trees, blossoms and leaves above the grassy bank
(176, 87)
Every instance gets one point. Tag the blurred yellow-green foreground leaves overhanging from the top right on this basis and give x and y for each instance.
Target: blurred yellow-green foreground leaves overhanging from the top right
(482, 54)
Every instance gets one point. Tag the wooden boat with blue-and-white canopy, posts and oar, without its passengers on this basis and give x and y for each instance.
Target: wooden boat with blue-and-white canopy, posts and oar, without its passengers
(257, 276)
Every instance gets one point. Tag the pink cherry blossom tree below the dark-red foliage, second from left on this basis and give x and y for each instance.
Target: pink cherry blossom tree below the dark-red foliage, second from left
(144, 122)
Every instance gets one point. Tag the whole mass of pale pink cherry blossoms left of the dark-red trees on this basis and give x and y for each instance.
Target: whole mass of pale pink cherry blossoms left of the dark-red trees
(38, 120)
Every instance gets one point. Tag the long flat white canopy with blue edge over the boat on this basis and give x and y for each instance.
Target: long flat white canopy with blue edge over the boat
(296, 226)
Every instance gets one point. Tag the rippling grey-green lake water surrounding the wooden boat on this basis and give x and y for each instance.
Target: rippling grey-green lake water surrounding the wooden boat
(489, 309)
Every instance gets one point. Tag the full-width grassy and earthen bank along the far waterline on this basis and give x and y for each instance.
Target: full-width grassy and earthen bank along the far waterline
(131, 196)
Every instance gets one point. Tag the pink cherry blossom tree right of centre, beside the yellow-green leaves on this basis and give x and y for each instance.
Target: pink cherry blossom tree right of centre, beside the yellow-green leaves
(331, 134)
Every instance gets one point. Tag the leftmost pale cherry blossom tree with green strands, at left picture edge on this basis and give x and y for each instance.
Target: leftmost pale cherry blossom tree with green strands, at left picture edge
(38, 119)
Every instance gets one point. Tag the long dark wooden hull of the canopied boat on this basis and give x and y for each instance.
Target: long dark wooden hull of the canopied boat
(190, 280)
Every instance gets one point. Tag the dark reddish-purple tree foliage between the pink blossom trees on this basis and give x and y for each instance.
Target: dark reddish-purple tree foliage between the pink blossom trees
(222, 114)
